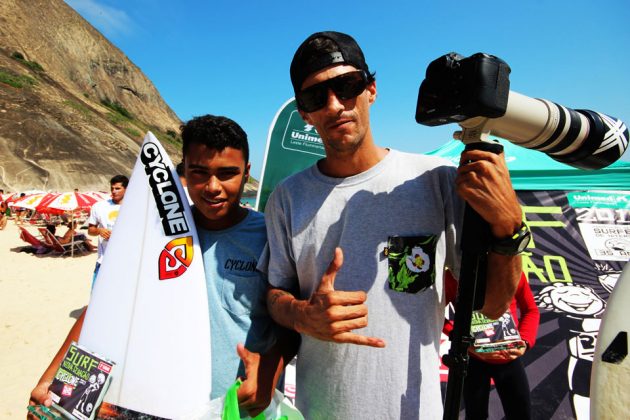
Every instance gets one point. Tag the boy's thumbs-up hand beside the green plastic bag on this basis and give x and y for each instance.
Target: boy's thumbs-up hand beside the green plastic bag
(253, 395)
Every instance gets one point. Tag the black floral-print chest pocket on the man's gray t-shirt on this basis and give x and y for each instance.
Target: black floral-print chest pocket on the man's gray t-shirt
(411, 262)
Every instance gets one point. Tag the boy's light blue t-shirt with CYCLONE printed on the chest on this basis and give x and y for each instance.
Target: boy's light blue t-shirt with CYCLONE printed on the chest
(236, 296)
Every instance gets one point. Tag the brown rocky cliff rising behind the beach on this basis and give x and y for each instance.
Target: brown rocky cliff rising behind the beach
(73, 108)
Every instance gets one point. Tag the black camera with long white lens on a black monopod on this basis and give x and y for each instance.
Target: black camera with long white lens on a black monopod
(474, 92)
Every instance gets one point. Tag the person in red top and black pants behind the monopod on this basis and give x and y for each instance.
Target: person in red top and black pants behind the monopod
(504, 367)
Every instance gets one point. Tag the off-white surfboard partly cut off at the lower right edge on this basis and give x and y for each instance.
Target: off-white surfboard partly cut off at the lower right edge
(610, 376)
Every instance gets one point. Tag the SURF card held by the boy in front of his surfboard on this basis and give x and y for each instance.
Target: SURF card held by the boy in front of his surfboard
(80, 383)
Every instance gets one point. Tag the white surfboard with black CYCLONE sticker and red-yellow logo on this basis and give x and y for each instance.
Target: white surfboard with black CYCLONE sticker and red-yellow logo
(149, 312)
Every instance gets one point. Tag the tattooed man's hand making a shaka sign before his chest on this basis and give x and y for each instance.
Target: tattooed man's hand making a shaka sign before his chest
(332, 315)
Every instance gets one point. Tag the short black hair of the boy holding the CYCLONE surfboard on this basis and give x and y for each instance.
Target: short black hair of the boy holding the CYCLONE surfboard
(214, 132)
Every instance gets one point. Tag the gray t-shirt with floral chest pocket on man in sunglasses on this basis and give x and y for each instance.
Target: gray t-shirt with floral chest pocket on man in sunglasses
(308, 215)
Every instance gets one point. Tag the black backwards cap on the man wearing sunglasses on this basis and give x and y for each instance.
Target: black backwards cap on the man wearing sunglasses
(312, 56)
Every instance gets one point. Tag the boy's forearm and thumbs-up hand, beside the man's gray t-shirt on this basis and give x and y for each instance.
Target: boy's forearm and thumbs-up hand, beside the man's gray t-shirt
(263, 371)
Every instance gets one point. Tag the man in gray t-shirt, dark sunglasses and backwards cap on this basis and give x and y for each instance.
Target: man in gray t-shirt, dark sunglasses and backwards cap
(390, 222)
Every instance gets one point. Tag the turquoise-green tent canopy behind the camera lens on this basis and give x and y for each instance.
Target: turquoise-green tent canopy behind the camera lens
(532, 170)
